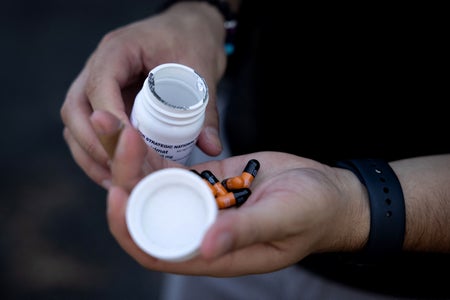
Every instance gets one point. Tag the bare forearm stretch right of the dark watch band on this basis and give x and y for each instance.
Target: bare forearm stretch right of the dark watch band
(426, 187)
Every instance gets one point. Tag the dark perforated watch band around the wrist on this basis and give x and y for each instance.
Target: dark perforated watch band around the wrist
(387, 205)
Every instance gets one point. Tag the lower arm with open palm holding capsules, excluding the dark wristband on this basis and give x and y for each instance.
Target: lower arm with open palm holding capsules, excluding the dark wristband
(297, 207)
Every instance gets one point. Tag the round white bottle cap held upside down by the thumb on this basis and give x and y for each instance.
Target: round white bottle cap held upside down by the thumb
(168, 213)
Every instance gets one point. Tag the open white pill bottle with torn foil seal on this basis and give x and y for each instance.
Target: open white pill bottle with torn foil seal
(169, 110)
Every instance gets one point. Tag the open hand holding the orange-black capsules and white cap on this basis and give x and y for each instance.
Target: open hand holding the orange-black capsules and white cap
(297, 207)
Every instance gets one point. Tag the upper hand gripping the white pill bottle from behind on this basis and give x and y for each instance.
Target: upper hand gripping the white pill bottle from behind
(189, 33)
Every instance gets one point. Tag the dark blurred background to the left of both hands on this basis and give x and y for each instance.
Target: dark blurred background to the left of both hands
(55, 243)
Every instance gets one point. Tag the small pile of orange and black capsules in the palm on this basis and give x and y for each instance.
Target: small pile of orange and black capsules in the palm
(232, 191)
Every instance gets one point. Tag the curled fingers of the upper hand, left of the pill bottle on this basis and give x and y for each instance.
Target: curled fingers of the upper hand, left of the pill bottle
(96, 87)
